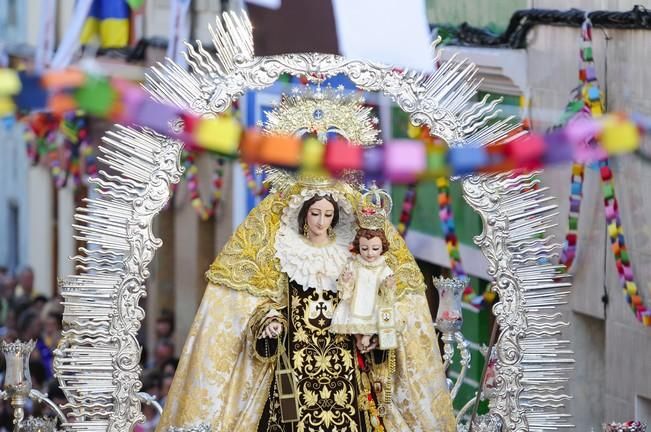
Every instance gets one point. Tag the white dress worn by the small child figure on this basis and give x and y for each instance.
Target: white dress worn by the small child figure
(357, 310)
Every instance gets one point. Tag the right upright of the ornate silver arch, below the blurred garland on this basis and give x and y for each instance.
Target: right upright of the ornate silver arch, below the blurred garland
(533, 362)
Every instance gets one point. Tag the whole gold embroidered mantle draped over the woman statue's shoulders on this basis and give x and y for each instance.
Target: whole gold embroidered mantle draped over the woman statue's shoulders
(223, 382)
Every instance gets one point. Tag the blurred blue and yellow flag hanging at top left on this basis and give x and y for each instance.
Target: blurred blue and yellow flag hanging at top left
(107, 20)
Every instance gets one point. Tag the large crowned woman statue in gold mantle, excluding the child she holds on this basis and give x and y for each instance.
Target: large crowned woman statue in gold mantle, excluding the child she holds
(260, 356)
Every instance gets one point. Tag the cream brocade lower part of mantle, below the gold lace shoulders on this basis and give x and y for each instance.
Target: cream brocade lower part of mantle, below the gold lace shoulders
(221, 381)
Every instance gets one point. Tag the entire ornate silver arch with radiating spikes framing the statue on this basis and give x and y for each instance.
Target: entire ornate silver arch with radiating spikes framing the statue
(97, 362)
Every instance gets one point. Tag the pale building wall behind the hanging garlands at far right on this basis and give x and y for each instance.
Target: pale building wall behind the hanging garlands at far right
(613, 375)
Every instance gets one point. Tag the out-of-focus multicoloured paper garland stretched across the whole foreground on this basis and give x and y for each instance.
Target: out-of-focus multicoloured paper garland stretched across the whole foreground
(124, 102)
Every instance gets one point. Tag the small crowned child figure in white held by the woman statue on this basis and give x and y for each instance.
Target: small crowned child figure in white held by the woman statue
(366, 286)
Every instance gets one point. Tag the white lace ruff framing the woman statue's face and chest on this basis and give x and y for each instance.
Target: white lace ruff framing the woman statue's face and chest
(308, 265)
